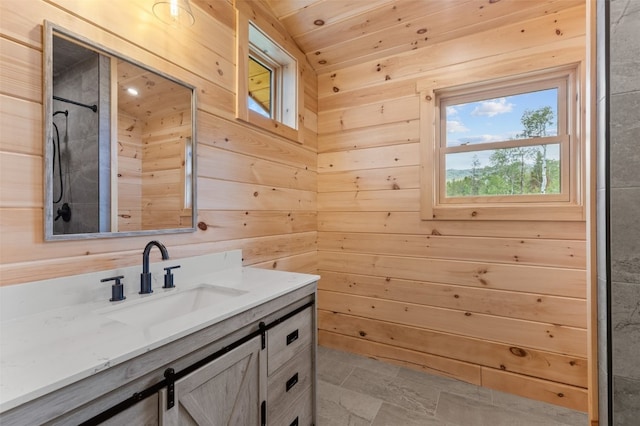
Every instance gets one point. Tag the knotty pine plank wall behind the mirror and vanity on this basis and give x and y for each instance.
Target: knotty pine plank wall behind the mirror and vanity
(256, 191)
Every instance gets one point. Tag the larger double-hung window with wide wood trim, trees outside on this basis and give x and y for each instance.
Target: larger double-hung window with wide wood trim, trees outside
(504, 150)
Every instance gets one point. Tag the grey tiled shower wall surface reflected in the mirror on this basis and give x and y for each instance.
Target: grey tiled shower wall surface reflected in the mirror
(85, 160)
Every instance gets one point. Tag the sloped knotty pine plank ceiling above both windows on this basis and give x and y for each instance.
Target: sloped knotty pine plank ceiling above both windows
(337, 33)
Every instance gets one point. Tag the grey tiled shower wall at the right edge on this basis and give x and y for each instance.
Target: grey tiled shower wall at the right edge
(624, 209)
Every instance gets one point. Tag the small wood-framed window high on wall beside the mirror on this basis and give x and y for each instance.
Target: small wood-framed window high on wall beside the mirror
(269, 93)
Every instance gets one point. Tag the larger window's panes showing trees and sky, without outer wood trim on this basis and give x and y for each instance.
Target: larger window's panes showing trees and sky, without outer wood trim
(502, 142)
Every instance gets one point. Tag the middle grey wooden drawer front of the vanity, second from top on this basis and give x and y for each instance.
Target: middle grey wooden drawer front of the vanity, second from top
(288, 383)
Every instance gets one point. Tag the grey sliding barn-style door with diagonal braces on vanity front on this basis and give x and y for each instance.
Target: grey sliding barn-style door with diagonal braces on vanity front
(226, 391)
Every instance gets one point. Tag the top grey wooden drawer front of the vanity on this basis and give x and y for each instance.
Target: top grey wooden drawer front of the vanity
(287, 339)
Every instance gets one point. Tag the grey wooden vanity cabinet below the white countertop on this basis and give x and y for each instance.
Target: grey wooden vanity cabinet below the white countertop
(254, 368)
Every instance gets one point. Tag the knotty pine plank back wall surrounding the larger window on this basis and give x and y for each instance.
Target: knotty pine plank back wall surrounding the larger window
(500, 304)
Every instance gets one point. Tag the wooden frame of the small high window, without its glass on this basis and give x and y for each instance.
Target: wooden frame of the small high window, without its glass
(287, 117)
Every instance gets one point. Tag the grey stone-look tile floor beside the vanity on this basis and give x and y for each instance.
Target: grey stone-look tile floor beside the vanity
(358, 391)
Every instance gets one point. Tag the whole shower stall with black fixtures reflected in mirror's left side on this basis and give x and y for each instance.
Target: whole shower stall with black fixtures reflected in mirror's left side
(80, 84)
